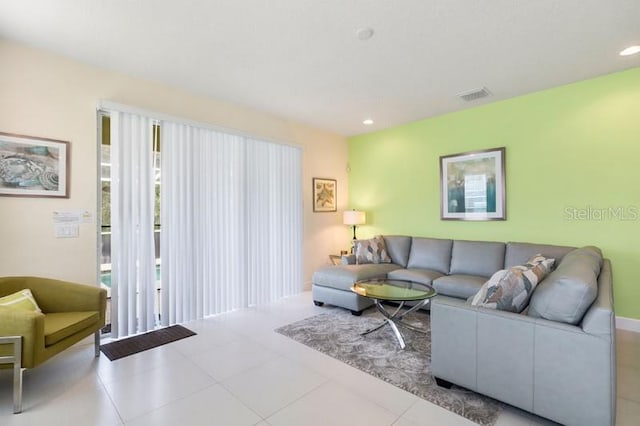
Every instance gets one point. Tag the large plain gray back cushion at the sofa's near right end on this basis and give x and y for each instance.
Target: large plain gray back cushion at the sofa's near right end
(566, 294)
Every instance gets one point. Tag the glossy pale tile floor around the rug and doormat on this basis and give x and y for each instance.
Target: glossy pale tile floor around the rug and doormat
(237, 371)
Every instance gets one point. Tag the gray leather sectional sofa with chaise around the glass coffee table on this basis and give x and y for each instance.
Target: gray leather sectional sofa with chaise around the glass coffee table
(555, 359)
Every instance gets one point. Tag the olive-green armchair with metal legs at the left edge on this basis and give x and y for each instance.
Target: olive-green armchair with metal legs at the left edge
(70, 312)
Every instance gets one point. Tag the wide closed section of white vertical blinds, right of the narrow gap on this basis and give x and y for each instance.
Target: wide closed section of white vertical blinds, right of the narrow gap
(231, 222)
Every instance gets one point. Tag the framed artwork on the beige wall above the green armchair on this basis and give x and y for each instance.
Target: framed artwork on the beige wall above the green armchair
(33, 167)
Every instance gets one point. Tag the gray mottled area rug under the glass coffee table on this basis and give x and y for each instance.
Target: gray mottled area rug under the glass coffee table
(337, 334)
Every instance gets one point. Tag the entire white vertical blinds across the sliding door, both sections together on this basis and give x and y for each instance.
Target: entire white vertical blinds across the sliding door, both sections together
(231, 214)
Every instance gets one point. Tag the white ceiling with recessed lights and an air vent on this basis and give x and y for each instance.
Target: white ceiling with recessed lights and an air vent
(301, 58)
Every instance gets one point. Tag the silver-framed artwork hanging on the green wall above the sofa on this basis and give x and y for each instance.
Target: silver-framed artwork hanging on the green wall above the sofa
(472, 185)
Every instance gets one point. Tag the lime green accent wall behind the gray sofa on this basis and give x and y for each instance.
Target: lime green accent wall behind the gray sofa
(572, 173)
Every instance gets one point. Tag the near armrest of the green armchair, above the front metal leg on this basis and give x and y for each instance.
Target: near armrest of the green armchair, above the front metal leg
(29, 325)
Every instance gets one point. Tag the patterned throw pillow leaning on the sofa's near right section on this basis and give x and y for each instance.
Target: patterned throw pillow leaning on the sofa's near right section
(510, 289)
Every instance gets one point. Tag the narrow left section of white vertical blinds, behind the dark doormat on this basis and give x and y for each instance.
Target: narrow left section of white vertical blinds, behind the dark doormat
(133, 280)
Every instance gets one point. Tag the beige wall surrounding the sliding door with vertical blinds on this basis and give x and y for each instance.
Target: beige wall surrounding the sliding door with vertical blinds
(47, 95)
